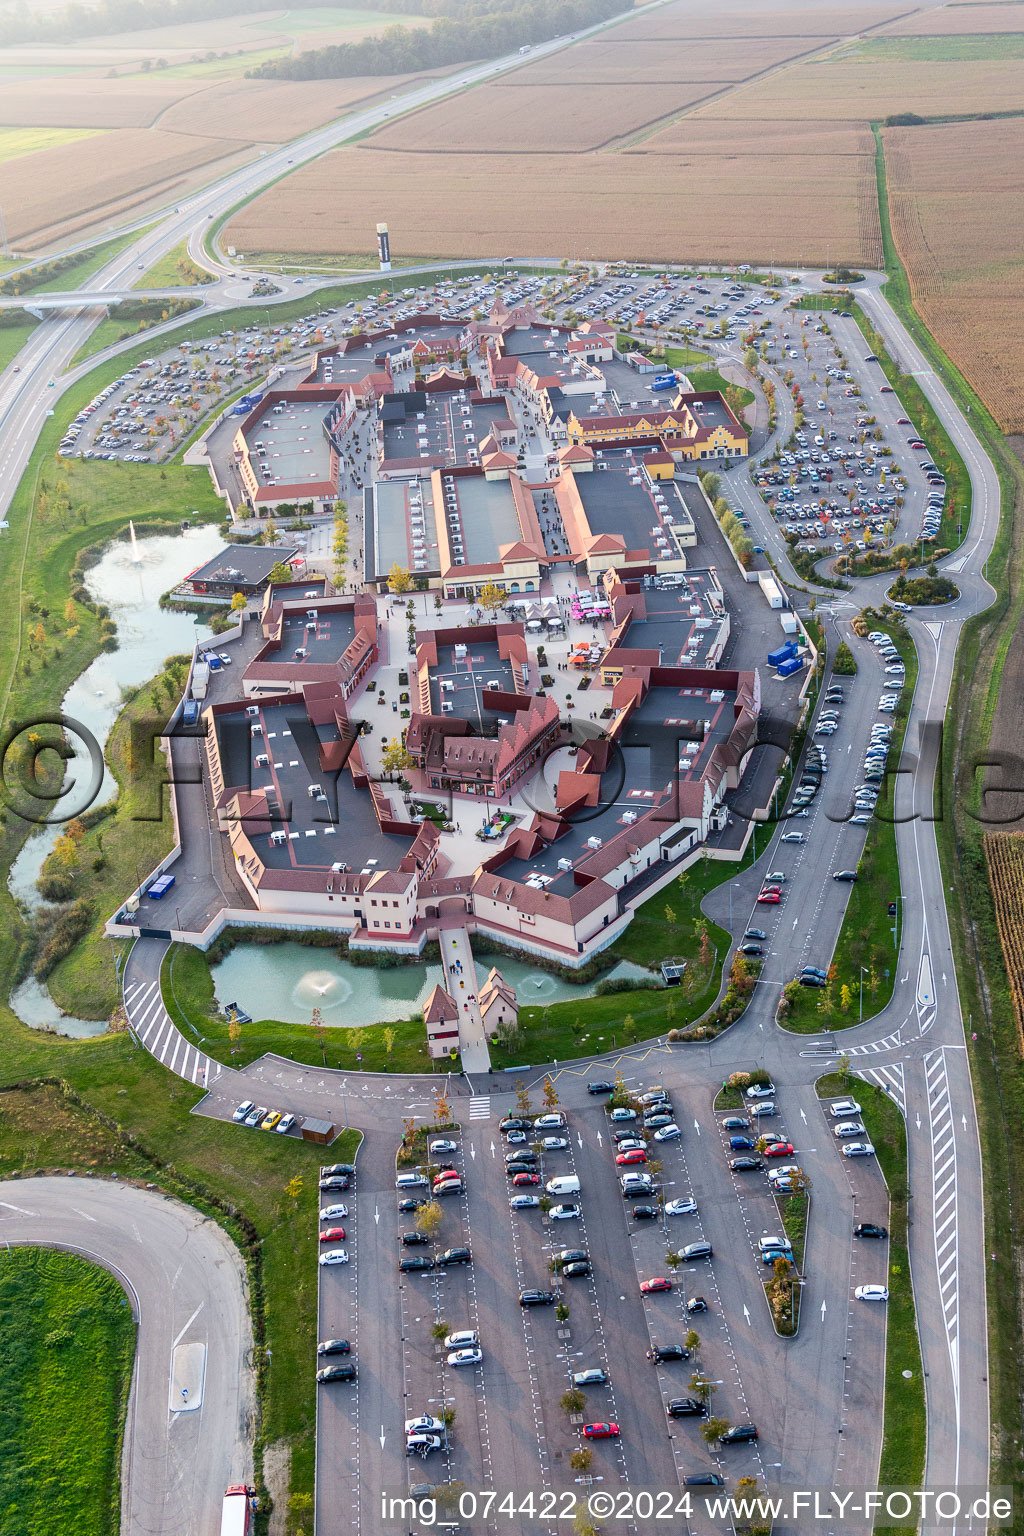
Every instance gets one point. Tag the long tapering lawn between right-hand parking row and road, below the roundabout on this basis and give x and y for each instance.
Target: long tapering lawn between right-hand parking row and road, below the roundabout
(867, 933)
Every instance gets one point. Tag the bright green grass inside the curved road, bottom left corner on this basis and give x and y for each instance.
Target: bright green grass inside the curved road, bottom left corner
(67, 1351)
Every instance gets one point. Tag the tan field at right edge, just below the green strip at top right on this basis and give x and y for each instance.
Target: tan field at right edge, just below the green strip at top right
(870, 88)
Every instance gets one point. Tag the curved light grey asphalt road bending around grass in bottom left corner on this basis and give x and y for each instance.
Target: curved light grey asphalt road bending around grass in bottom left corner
(187, 1286)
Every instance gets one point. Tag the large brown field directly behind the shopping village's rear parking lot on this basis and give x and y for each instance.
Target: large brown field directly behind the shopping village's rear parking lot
(722, 208)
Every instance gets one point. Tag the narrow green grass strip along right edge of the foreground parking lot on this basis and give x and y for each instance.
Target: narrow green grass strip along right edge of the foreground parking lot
(905, 1414)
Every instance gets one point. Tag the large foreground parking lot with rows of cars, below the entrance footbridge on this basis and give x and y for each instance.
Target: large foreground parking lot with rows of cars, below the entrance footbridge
(501, 1422)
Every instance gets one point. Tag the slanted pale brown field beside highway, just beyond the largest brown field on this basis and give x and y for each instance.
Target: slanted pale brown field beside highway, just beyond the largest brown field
(532, 121)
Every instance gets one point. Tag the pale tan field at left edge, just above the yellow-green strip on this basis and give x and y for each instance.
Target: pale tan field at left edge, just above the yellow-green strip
(88, 104)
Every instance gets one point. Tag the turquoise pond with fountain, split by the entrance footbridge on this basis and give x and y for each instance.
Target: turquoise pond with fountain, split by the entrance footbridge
(286, 982)
